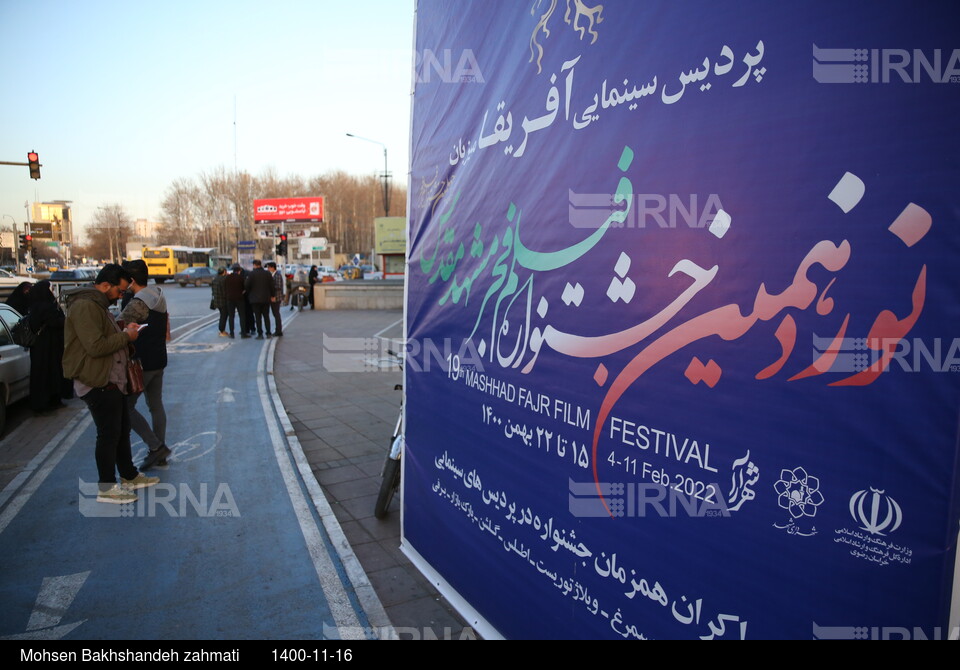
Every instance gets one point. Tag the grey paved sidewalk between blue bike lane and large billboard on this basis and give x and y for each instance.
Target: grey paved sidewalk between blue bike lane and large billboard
(343, 421)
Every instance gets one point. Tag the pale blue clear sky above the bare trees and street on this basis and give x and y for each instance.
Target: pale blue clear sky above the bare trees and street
(120, 99)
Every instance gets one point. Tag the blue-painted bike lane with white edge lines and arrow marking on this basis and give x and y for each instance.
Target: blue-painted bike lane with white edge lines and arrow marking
(226, 547)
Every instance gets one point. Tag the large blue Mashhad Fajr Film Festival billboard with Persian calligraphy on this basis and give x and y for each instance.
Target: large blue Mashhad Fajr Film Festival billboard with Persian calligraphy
(683, 307)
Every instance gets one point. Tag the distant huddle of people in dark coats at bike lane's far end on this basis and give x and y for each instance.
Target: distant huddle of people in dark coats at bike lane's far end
(255, 295)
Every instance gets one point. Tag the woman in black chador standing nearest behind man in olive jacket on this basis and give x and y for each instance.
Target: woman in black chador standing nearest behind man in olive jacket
(47, 385)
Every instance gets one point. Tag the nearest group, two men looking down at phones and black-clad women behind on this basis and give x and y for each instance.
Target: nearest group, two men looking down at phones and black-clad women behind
(87, 353)
